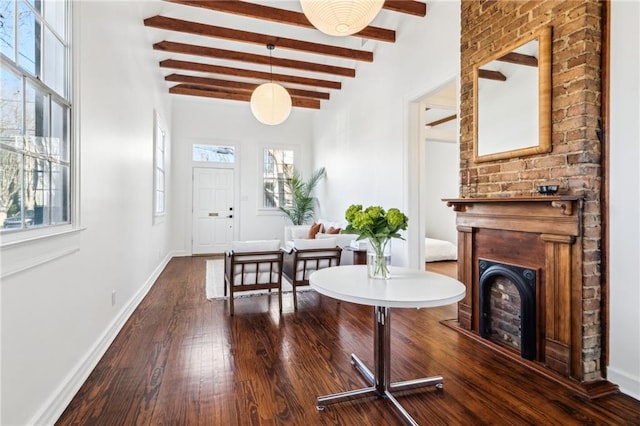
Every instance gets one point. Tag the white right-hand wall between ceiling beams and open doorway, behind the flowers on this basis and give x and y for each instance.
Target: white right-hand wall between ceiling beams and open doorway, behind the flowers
(364, 139)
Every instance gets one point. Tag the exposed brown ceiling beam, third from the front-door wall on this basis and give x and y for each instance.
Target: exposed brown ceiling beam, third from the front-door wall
(265, 76)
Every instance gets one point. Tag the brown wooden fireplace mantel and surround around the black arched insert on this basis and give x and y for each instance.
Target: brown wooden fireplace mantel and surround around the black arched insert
(543, 233)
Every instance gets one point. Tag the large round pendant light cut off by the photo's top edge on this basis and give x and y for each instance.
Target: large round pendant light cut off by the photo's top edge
(341, 17)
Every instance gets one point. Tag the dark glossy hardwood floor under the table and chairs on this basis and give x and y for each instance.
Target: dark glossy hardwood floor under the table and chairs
(182, 360)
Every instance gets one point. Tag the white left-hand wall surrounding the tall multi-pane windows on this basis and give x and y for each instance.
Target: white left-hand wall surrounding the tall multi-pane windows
(57, 317)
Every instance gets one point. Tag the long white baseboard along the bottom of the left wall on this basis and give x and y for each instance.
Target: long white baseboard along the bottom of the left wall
(62, 396)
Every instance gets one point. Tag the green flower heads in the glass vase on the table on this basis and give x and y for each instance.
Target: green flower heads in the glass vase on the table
(374, 223)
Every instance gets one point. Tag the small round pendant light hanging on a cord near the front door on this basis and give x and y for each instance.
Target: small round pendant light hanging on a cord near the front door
(270, 102)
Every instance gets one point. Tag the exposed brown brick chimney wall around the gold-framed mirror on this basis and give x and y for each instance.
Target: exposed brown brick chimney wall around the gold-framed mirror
(574, 162)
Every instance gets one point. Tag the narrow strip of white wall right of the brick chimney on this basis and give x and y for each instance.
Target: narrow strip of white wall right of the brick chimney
(624, 201)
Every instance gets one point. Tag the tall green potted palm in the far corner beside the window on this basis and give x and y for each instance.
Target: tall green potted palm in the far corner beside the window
(303, 205)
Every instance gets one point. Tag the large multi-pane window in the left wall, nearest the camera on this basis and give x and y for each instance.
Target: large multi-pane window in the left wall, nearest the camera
(35, 114)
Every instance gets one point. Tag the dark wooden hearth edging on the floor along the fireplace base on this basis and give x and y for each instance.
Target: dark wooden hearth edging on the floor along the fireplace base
(589, 390)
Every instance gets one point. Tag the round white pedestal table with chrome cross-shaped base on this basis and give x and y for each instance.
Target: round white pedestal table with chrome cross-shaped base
(406, 288)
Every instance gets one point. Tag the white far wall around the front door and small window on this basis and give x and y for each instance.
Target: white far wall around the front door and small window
(208, 121)
